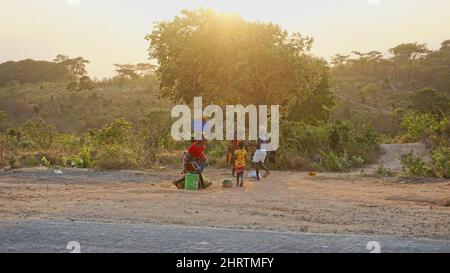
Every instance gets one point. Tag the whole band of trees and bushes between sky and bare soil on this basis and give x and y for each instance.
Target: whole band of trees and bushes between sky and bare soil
(333, 114)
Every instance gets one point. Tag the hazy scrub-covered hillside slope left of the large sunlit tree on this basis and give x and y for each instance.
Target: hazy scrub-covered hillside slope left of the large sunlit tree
(77, 111)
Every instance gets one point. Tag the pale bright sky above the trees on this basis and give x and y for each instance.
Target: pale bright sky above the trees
(112, 31)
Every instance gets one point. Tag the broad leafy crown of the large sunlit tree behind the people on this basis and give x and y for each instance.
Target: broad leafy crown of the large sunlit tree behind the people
(228, 60)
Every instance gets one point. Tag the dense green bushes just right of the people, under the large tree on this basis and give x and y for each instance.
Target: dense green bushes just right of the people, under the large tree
(338, 147)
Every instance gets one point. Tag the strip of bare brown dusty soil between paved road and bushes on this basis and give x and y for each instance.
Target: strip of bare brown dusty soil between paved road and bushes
(327, 203)
